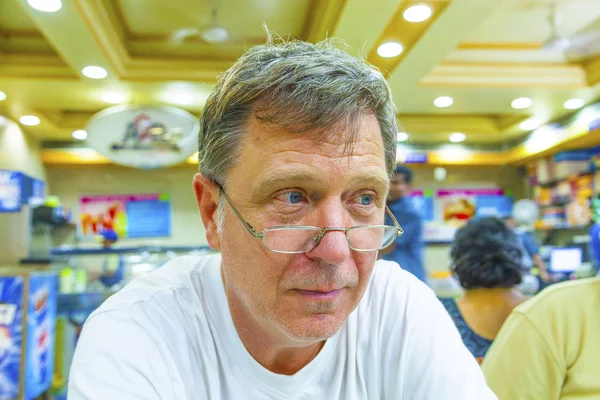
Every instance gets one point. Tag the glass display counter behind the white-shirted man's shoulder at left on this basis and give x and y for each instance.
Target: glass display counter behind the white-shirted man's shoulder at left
(87, 277)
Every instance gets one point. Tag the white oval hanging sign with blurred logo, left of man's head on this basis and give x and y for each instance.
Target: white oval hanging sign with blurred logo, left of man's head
(143, 137)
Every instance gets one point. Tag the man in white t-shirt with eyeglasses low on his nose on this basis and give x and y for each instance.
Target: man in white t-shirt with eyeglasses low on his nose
(296, 145)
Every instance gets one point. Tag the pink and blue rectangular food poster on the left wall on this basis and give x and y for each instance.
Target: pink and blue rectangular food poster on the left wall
(130, 216)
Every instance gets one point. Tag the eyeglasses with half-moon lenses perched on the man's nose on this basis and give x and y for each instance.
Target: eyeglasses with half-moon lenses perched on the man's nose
(292, 239)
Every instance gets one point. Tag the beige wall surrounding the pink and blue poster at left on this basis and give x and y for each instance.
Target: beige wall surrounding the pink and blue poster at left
(70, 182)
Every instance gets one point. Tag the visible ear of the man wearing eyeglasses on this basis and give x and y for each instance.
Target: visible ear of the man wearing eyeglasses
(207, 199)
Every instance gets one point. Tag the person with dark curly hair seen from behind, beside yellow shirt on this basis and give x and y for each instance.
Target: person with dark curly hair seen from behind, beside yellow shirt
(486, 259)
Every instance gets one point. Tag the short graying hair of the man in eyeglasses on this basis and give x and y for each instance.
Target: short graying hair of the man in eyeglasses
(299, 87)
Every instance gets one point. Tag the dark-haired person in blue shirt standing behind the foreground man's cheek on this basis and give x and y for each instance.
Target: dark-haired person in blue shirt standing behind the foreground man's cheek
(407, 250)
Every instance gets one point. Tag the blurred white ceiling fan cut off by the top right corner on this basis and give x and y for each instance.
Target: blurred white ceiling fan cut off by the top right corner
(580, 45)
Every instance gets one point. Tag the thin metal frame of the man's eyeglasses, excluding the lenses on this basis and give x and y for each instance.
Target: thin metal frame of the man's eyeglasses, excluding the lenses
(317, 239)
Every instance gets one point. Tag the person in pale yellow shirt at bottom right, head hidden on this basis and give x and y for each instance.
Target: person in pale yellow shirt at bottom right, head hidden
(549, 347)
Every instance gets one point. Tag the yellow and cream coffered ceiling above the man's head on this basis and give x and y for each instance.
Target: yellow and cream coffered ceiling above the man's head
(482, 53)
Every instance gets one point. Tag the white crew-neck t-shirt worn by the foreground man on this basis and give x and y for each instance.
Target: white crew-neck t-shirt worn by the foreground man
(169, 335)
